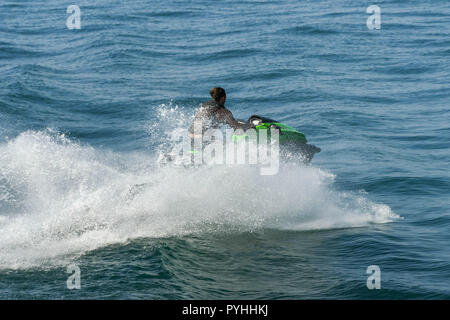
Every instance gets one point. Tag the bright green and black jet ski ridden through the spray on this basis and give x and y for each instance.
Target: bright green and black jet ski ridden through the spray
(293, 143)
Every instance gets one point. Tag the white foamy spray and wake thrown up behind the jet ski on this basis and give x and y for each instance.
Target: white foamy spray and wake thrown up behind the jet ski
(60, 198)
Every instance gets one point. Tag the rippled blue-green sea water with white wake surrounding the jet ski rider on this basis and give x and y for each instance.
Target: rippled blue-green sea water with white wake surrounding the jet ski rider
(84, 113)
